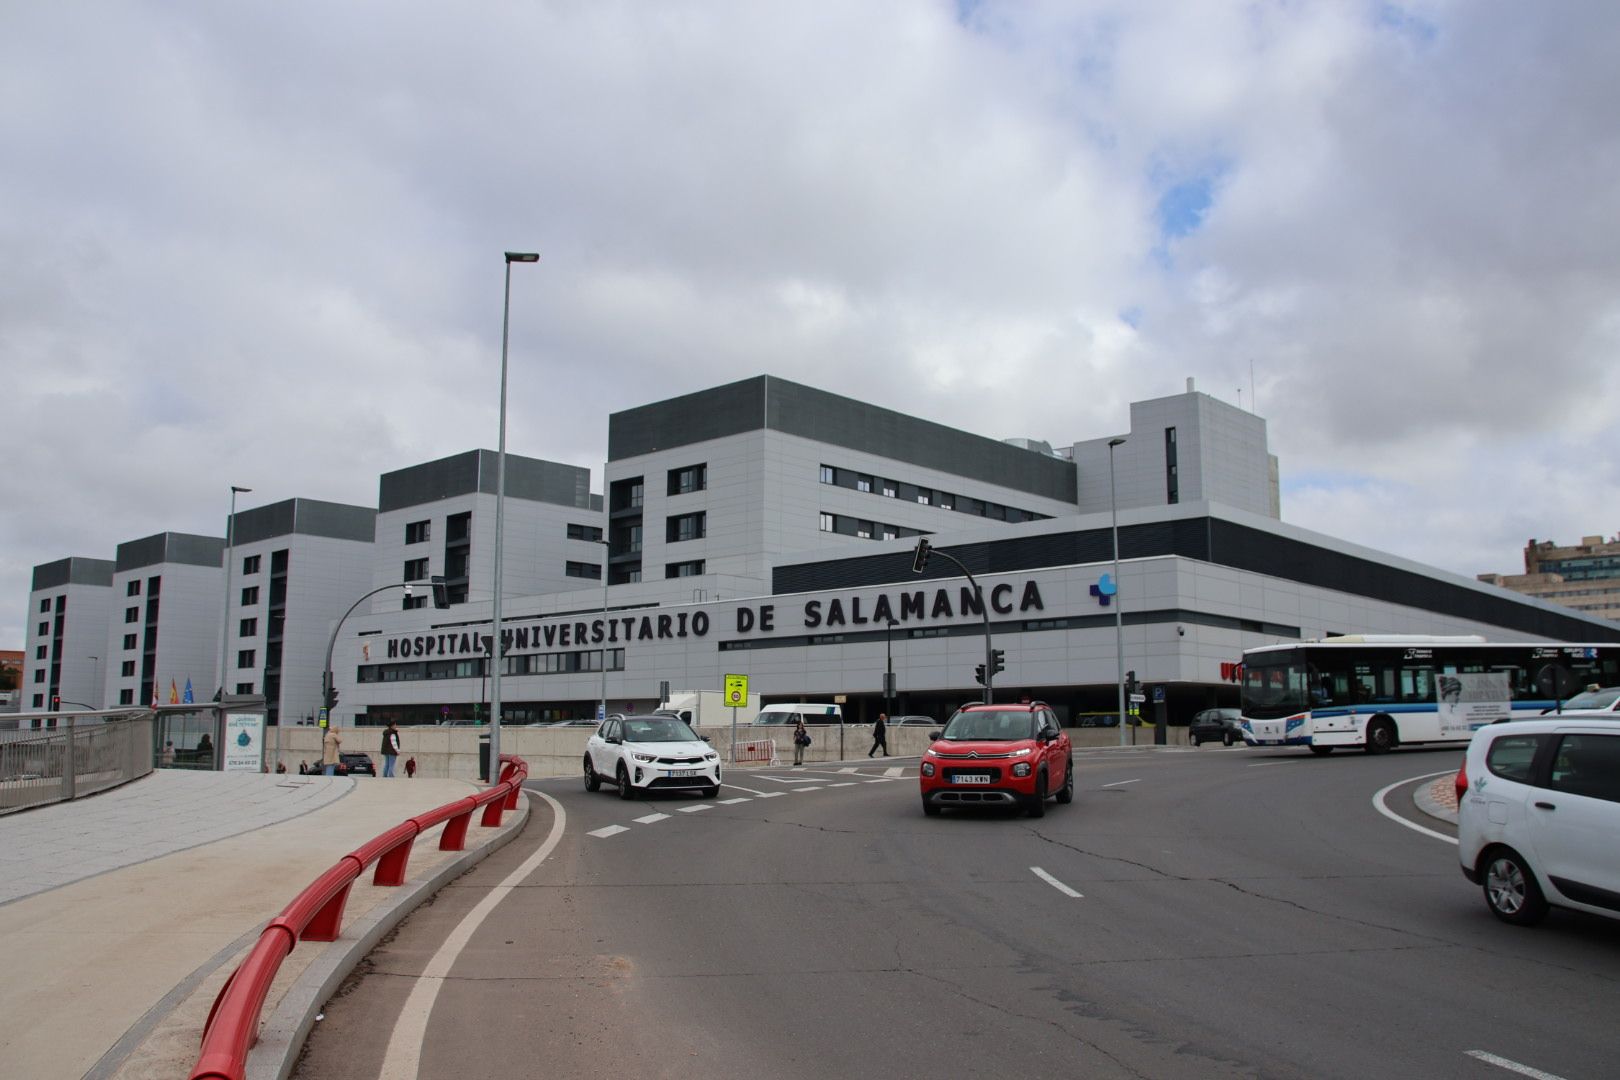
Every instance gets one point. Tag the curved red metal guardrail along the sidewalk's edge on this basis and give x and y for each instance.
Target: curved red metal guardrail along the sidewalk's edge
(317, 914)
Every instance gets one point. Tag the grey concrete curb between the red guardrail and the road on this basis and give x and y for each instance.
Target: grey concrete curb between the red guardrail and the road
(283, 1037)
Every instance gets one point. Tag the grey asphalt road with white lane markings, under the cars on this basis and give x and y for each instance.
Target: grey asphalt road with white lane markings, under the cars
(1238, 914)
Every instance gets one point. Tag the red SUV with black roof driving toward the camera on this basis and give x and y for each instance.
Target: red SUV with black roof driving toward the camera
(1010, 755)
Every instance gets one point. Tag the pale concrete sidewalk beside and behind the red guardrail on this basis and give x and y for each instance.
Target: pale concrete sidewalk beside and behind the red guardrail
(124, 914)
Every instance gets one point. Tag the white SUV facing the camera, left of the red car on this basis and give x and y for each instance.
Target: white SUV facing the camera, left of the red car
(650, 754)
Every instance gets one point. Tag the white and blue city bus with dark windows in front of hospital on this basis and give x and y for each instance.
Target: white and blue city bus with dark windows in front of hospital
(1379, 692)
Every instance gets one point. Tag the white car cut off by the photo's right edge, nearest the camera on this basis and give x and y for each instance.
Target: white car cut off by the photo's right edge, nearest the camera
(1540, 817)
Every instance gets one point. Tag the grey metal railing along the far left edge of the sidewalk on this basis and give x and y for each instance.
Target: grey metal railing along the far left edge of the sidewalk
(72, 762)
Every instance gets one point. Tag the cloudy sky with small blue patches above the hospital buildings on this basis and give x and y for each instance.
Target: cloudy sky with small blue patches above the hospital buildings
(260, 244)
